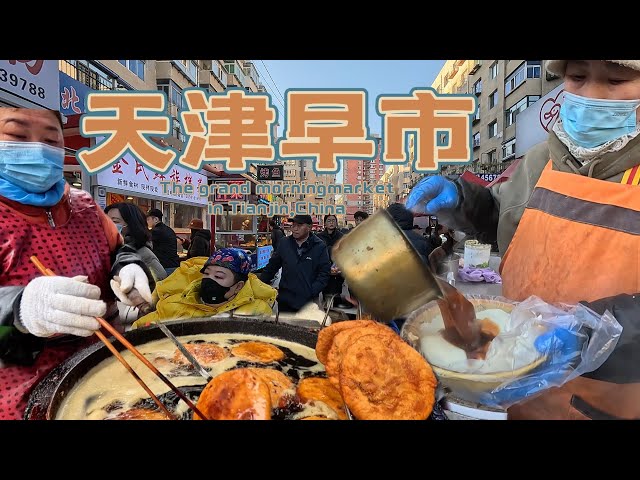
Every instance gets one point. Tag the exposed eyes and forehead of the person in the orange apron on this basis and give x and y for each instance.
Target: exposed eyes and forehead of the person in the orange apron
(601, 80)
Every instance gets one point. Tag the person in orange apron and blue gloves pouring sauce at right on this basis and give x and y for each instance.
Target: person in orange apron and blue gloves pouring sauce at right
(568, 225)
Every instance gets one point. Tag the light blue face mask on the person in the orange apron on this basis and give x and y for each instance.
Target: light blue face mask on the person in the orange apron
(593, 122)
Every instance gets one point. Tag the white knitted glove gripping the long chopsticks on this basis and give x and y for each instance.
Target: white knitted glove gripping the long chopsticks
(53, 305)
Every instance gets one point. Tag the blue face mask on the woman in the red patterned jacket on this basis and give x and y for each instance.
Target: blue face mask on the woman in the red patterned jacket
(33, 166)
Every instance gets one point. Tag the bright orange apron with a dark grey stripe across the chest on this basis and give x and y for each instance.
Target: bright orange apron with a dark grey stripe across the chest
(568, 243)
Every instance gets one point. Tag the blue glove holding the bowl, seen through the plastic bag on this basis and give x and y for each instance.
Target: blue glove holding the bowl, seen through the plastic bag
(563, 349)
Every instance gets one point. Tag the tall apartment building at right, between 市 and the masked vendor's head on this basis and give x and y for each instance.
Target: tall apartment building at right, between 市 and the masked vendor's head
(504, 89)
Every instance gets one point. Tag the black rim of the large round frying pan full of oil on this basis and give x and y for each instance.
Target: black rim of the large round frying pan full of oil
(46, 398)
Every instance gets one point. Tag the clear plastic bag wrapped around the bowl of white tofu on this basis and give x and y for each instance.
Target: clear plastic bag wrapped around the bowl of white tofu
(539, 346)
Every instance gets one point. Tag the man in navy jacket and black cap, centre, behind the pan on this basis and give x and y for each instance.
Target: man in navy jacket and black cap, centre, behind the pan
(305, 265)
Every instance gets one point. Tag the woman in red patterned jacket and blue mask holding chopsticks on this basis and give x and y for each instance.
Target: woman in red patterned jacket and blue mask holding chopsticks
(43, 319)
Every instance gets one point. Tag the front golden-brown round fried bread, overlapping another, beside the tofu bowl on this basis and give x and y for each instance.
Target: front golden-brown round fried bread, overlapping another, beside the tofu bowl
(383, 378)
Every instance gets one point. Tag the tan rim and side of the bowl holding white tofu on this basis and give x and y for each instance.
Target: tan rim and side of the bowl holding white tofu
(465, 385)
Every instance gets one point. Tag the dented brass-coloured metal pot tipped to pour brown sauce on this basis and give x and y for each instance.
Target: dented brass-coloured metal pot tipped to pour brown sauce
(384, 270)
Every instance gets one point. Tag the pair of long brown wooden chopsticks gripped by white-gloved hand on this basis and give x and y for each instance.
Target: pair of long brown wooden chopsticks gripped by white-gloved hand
(45, 271)
